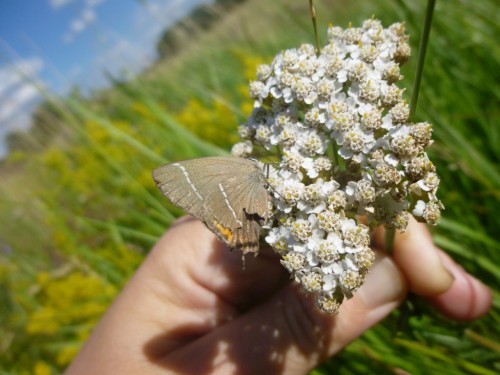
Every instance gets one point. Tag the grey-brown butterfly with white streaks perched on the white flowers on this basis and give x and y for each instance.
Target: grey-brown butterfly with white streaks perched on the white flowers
(229, 194)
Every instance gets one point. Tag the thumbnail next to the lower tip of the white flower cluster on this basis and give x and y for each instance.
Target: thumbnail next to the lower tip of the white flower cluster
(384, 284)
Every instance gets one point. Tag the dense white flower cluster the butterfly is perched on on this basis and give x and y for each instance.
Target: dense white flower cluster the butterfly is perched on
(339, 125)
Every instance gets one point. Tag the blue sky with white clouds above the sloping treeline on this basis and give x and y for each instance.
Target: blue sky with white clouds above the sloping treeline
(62, 43)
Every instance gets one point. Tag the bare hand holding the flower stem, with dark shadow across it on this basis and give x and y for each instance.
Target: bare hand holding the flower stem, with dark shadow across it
(194, 308)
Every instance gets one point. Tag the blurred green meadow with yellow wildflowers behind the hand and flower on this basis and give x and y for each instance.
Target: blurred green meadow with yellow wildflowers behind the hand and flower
(79, 210)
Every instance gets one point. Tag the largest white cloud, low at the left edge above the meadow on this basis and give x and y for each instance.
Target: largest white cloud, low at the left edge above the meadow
(18, 95)
